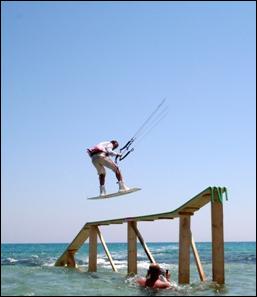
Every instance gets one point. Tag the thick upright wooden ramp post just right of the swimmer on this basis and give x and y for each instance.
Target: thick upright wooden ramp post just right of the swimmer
(184, 249)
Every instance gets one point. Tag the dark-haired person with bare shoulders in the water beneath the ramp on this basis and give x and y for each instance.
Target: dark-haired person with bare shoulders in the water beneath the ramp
(155, 278)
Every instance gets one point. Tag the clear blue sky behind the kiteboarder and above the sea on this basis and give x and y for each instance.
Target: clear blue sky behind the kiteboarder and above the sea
(78, 73)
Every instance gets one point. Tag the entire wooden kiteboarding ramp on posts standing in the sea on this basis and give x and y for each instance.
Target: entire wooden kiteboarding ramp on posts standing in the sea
(183, 213)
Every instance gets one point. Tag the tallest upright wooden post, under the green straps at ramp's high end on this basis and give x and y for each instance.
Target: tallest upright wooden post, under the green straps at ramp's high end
(218, 274)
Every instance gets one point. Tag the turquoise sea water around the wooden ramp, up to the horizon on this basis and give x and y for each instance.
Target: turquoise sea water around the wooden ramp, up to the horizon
(28, 270)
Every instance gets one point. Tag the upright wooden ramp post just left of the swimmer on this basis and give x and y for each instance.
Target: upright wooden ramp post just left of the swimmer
(132, 248)
